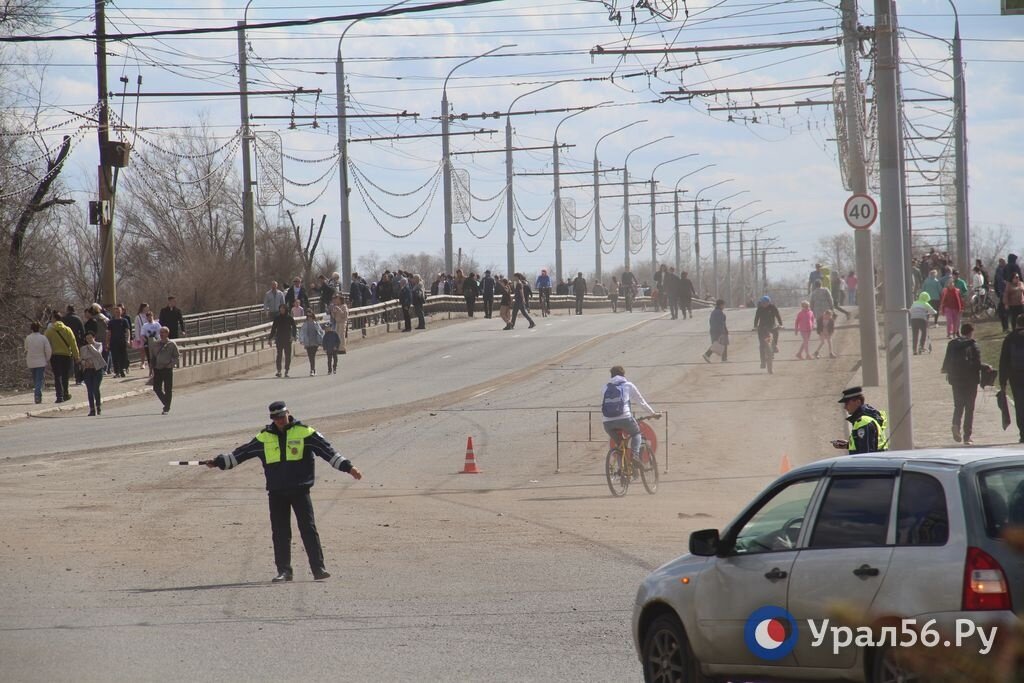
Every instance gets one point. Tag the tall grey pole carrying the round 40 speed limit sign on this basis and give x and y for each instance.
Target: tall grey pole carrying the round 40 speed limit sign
(859, 183)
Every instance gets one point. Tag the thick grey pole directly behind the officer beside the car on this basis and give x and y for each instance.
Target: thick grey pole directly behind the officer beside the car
(898, 349)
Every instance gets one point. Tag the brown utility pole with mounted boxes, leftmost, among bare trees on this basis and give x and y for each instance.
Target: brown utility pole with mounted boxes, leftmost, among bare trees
(108, 282)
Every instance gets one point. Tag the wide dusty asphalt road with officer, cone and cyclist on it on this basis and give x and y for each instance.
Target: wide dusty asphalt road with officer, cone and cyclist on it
(121, 569)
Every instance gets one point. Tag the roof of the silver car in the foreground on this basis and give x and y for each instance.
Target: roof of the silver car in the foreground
(975, 458)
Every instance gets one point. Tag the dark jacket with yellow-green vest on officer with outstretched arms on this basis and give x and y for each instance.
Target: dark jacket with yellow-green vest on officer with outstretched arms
(287, 457)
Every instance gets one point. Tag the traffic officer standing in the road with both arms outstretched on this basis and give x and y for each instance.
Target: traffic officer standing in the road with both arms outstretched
(286, 448)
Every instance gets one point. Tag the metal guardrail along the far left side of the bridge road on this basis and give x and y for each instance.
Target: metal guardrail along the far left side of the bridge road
(204, 349)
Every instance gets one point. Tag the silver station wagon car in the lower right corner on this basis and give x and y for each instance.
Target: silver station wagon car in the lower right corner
(906, 537)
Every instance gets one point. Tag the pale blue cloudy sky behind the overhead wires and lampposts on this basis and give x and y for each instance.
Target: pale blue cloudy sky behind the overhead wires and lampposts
(787, 160)
